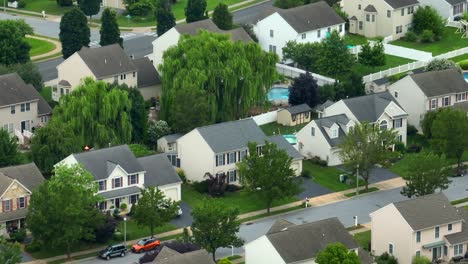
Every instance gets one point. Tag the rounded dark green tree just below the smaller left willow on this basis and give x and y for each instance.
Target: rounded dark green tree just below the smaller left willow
(49, 145)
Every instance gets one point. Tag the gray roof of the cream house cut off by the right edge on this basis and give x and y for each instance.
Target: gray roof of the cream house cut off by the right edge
(435, 83)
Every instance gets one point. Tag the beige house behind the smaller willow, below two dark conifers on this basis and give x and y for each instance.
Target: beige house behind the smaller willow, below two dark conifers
(109, 64)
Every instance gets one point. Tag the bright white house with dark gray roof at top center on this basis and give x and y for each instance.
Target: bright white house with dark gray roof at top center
(303, 24)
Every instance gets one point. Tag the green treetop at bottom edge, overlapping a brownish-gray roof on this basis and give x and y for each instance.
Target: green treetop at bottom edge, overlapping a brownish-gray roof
(337, 253)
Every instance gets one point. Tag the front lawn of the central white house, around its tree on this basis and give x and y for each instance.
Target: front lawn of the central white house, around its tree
(243, 200)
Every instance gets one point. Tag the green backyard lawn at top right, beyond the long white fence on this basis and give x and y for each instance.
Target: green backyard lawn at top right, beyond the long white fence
(450, 41)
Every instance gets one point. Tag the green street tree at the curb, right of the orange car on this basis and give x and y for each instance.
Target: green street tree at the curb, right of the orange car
(215, 226)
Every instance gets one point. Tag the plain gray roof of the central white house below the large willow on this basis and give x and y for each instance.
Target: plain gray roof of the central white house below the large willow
(233, 135)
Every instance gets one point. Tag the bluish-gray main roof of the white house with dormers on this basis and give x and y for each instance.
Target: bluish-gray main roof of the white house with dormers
(369, 107)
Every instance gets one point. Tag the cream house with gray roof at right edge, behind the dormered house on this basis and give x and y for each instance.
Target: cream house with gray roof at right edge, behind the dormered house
(427, 91)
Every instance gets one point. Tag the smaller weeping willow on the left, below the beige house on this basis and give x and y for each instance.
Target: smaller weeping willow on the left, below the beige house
(96, 113)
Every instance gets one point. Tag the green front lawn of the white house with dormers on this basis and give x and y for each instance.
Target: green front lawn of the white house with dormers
(328, 177)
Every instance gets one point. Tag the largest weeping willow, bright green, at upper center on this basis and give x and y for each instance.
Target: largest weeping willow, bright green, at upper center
(233, 76)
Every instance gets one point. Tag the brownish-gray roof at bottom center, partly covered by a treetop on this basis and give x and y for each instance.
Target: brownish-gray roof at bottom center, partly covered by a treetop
(301, 242)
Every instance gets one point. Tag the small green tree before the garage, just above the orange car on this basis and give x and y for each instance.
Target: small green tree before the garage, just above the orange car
(154, 209)
